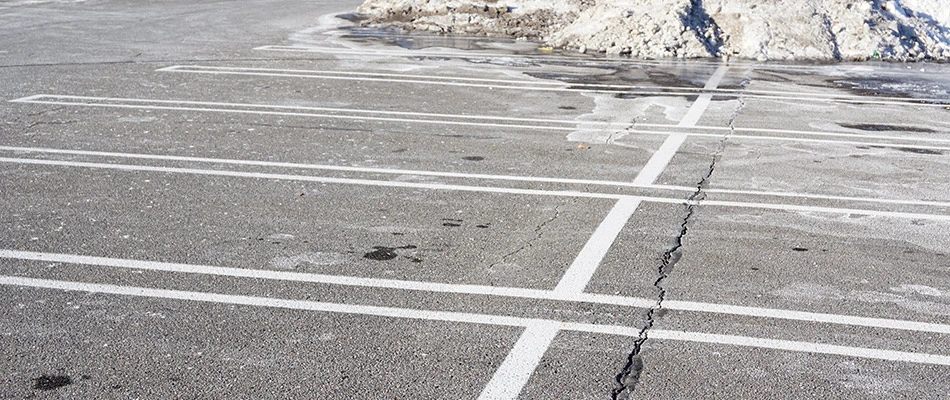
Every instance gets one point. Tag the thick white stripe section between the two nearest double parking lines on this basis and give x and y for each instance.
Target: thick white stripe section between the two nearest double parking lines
(581, 271)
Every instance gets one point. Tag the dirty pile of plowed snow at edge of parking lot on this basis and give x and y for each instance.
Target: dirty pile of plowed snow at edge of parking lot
(899, 30)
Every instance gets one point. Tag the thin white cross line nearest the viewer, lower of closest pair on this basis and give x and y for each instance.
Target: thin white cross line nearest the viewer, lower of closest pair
(482, 319)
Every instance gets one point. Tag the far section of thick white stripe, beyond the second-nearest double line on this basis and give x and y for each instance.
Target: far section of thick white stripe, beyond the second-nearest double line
(664, 155)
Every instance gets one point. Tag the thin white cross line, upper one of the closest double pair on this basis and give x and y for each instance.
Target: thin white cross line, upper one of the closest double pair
(537, 294)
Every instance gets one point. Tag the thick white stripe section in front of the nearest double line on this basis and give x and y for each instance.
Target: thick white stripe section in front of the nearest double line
(522, 360)
